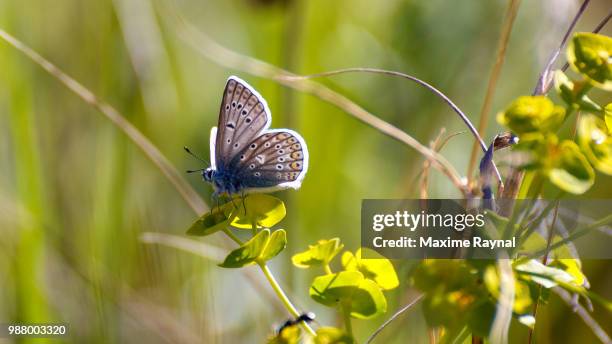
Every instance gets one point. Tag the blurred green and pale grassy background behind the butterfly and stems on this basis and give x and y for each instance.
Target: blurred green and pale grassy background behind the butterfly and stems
(76, 194)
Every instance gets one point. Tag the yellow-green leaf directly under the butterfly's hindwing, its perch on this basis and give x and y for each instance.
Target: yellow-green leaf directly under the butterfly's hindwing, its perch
(261, 209)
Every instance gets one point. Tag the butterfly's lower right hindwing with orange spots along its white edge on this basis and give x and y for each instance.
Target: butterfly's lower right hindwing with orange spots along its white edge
(275, 160)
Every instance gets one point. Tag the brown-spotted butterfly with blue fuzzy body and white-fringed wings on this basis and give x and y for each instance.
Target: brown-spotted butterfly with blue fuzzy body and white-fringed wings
(246, 156)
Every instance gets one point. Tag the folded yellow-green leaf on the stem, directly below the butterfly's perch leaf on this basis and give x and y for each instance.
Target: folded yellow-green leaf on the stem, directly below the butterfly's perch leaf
(260, 248)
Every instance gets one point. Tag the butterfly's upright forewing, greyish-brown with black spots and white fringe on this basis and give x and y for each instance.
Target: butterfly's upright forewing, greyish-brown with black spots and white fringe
(244, 114)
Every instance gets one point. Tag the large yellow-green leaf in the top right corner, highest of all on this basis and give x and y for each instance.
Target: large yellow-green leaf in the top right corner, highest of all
(590, 54)
